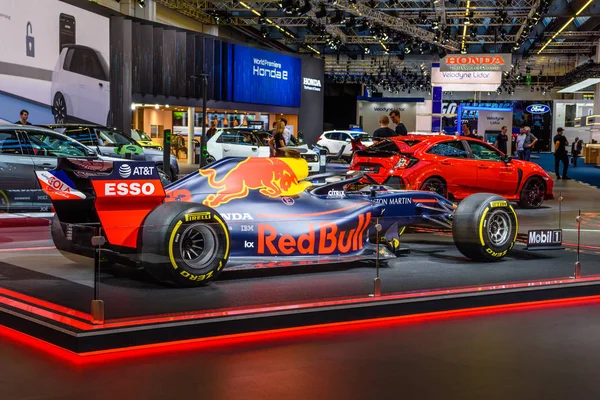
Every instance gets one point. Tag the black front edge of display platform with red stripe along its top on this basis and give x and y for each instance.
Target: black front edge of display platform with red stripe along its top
(78, 335)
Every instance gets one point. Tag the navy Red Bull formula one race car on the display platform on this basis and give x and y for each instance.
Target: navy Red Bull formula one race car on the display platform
(250, 211)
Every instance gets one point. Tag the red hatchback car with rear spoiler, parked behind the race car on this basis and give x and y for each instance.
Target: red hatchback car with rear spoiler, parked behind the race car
(455, 167)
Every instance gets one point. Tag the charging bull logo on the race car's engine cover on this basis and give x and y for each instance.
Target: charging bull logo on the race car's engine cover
(272, 177)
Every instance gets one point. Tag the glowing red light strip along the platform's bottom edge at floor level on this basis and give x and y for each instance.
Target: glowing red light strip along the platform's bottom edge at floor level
(280, 334)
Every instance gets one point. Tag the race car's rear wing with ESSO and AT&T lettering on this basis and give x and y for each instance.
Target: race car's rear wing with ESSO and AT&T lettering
(117, 194)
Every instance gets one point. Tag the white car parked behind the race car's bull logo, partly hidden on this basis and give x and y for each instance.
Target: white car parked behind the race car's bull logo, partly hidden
(251, 143)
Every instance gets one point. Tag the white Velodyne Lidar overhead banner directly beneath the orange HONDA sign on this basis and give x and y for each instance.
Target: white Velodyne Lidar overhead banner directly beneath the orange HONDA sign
(466, 81)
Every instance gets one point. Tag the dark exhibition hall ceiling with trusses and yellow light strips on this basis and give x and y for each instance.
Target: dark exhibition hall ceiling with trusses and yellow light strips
(549, 37)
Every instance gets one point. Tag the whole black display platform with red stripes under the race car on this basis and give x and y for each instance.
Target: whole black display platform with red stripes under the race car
(50, 303)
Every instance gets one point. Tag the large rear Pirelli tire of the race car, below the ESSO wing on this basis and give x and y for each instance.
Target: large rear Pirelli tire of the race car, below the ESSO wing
(184, 243)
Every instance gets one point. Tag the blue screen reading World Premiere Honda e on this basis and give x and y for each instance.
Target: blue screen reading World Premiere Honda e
(264, 77)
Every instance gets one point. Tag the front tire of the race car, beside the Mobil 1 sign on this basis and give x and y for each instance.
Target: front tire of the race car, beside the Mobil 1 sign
(485, 227)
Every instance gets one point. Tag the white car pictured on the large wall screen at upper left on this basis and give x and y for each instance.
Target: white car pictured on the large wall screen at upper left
(80, 86)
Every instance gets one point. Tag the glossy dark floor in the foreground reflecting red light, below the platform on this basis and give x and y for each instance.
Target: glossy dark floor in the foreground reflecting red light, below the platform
(548, 353)
